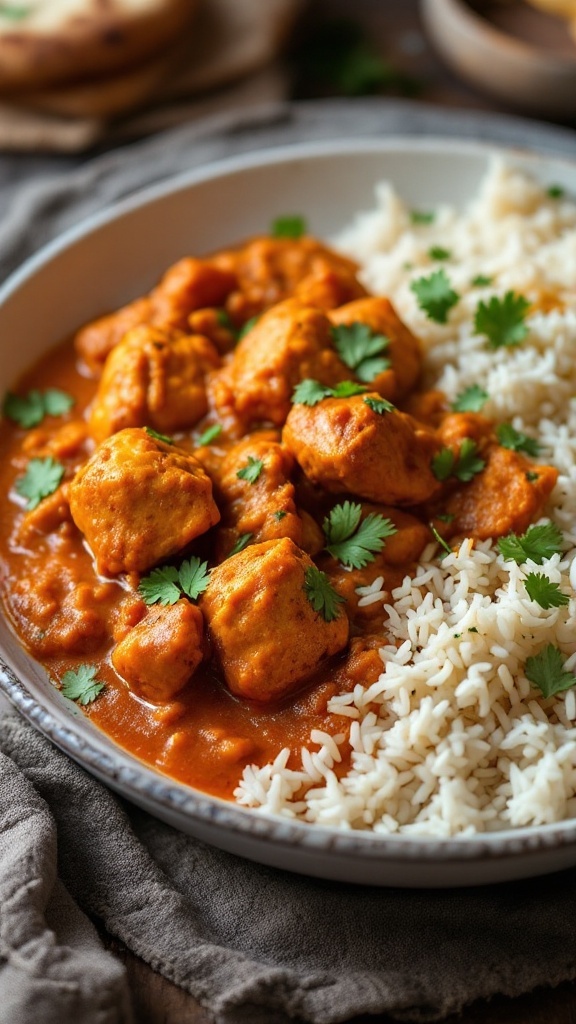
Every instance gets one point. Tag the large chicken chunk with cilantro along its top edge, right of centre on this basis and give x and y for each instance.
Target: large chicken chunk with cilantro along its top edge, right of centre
(347, 447)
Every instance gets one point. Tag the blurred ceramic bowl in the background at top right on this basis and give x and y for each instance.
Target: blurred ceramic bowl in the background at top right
(527, 75)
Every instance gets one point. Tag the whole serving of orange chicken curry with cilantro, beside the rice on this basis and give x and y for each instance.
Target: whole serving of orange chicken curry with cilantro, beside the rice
(198, 488)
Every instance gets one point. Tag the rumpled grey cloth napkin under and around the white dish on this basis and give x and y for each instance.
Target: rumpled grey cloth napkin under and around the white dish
(256, 946)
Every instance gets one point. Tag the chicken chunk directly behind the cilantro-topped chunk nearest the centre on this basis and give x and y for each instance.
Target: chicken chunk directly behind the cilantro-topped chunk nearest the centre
(286, 346)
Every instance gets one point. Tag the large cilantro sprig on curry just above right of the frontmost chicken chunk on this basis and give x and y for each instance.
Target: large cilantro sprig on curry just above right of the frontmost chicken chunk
(352, 542)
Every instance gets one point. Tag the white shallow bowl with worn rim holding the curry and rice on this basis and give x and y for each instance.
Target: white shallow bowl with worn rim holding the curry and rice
(115, 258)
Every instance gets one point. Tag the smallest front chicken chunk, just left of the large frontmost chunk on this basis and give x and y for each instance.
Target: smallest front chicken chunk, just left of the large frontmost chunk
(159, 656)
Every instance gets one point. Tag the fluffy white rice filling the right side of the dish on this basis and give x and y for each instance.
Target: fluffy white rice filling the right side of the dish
(454, 739)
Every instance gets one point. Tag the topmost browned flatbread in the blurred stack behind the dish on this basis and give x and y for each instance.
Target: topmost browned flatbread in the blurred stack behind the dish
(50, 42)
